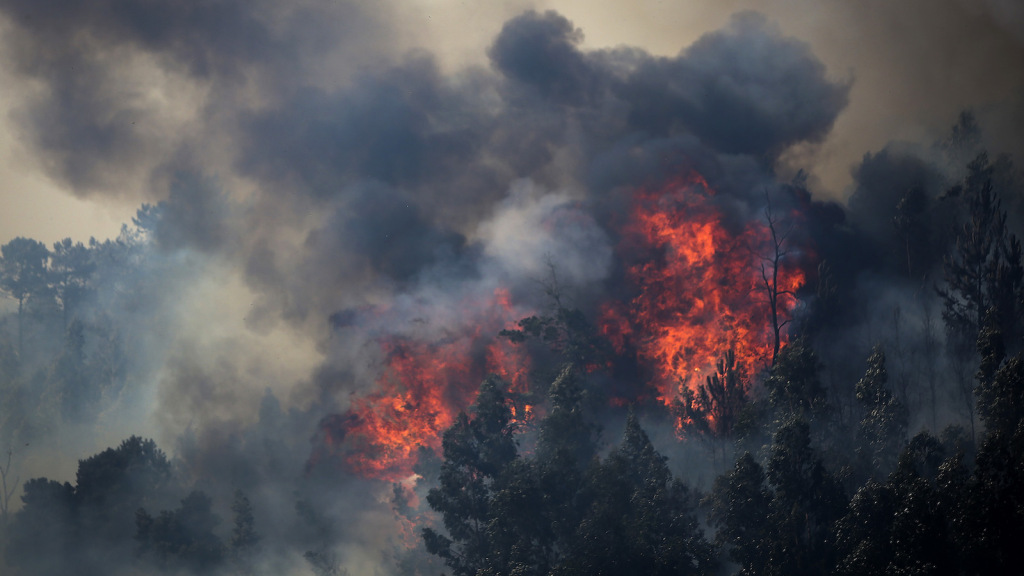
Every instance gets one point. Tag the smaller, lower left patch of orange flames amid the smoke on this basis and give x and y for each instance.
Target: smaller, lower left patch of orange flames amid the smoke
(423, 387)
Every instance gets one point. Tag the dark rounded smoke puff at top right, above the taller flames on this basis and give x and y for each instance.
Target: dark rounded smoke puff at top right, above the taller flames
(743, 91)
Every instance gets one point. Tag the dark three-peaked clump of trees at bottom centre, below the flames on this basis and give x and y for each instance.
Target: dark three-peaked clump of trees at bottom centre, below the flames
(564, 511)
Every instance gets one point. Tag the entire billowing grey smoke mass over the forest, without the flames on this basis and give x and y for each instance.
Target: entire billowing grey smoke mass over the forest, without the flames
(314, 190)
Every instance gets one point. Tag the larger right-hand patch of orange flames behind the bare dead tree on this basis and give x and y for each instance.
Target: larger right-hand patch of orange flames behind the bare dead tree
(701, 290)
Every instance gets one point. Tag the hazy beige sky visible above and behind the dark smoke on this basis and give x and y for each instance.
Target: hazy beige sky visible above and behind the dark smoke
(913, 65)
